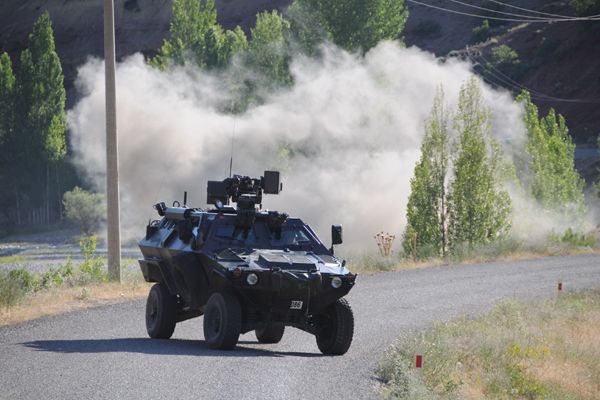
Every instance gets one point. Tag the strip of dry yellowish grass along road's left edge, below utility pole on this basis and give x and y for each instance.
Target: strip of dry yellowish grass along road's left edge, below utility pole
(65, 299)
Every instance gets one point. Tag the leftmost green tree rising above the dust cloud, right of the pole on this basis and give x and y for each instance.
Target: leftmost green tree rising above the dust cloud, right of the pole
(197, 36)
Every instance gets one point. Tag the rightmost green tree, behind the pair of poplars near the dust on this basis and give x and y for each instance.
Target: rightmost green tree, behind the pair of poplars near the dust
(553, 180)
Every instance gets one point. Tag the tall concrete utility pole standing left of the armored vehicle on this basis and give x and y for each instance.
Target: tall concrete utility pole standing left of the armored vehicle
(113, 237)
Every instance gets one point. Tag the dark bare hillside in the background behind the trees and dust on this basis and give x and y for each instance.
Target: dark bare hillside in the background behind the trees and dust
(557, 62)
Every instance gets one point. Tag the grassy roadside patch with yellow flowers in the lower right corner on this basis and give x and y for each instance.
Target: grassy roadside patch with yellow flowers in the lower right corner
(539, 350)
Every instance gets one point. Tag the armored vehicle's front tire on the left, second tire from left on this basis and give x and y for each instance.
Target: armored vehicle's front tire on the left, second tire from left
(222, 321)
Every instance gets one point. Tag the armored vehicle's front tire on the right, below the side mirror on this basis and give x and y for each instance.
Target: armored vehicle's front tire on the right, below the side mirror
(335, 328)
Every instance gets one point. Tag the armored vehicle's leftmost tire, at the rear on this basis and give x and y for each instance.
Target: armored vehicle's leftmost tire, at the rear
(161, 312)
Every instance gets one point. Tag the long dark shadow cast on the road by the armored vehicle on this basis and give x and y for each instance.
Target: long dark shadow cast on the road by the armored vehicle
(155, 346)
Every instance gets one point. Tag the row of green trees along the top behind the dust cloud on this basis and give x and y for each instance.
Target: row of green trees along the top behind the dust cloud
(258, 64)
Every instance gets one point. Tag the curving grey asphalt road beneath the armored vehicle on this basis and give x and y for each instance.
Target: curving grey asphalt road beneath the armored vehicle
(104, 353)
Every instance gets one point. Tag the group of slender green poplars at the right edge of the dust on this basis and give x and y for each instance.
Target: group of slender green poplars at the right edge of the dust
(459, 194)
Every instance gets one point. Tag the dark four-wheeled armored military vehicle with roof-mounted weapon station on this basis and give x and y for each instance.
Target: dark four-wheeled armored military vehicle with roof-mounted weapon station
(245, 269)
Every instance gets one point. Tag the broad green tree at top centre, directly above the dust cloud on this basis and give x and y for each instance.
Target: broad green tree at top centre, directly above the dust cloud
(359, 24)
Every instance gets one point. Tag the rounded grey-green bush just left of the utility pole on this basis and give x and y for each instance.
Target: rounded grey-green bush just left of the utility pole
(84, 209)
